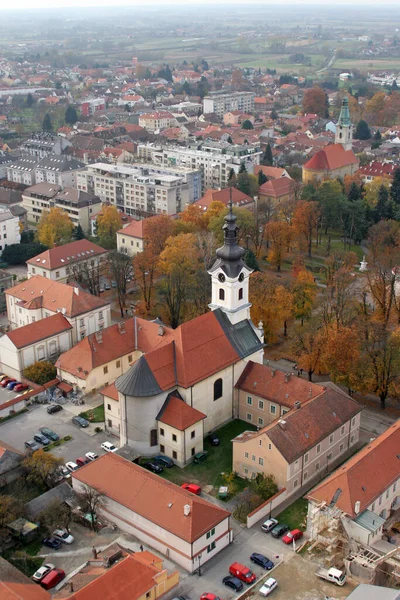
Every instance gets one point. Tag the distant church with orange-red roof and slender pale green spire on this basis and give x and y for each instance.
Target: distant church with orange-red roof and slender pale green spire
(335, 160)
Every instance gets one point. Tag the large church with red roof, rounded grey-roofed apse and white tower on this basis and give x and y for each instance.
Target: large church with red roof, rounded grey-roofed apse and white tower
(183, 386)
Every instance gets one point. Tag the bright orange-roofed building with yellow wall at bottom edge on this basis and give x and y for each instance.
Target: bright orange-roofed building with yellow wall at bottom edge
(119, 573)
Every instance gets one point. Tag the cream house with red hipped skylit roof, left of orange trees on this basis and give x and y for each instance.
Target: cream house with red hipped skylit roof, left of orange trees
(64, 262)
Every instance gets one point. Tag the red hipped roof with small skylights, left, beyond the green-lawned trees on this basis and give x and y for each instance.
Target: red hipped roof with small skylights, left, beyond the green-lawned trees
(61, 256)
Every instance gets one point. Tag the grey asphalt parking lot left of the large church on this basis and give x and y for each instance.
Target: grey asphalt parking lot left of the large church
(23, 427)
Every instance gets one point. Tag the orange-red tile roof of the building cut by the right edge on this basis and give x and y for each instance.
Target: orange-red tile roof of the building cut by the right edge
(365, 476)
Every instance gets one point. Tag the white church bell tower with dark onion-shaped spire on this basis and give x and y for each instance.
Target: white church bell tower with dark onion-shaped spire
(230, 274)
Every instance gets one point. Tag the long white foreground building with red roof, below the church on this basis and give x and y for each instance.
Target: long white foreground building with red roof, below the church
(186, 528)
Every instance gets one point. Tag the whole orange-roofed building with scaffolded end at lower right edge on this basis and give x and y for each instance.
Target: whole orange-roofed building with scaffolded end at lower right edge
(360, 495)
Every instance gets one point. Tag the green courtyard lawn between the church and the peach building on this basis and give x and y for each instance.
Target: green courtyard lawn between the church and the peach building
(219, 460)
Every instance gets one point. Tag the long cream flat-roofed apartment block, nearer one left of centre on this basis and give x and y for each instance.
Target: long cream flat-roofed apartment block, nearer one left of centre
(138, 190)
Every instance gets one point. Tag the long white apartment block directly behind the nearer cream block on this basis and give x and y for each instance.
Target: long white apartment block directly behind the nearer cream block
(215, 160)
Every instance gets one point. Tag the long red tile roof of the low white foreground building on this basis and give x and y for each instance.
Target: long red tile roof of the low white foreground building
(151, 496)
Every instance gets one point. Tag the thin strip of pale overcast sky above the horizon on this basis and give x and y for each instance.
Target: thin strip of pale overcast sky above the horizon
(29, 4)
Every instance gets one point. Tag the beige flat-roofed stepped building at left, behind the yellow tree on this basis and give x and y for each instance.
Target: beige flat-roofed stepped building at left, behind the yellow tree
(79, 205)
